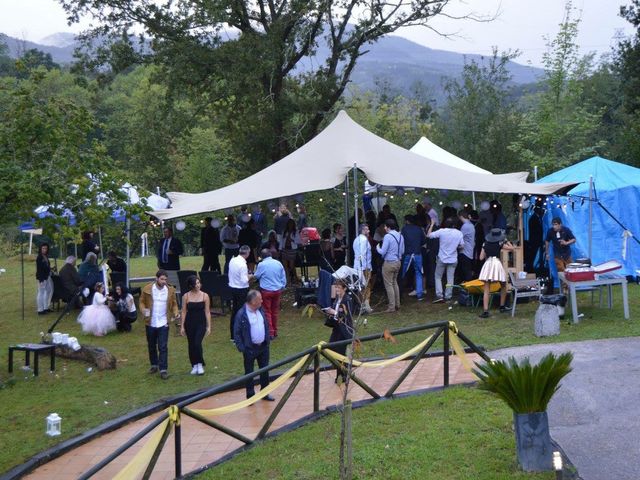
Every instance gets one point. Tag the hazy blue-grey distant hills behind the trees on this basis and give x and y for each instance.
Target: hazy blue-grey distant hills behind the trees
(393, 60)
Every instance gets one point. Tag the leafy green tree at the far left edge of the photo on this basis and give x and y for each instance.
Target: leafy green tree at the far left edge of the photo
(48, 158)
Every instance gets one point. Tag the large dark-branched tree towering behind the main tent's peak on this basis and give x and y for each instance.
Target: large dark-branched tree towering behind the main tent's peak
(275, 76)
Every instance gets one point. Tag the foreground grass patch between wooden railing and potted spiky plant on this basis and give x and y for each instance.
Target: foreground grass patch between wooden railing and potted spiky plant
(448, 443)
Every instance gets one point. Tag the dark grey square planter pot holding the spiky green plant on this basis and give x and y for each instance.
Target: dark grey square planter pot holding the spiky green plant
(533, 442)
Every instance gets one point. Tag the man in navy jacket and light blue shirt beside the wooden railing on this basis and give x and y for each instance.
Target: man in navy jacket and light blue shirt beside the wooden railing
(251, 336)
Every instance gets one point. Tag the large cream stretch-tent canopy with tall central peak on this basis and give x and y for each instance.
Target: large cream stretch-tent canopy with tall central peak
(323, 163)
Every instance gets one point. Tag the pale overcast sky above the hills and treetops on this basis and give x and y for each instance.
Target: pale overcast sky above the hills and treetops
(521, 24)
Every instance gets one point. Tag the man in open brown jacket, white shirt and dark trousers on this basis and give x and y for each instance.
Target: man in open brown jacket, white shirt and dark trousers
(158, 304)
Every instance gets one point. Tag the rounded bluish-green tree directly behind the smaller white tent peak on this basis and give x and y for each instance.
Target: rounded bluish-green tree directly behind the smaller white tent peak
(481, 118)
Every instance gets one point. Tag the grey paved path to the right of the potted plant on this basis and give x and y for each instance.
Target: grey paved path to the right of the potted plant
(594, 416)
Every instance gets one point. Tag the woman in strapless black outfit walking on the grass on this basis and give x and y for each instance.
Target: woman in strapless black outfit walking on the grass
(196, 322)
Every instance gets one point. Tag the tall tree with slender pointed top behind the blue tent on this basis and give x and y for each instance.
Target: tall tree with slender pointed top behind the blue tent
(561, 129)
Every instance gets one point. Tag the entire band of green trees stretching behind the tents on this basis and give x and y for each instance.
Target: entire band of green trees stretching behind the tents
(191, 106)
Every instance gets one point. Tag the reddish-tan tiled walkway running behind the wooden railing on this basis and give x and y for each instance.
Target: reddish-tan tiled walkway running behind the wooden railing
(203, 445)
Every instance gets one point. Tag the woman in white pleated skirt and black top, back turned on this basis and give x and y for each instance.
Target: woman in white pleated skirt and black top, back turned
(492, 270)
